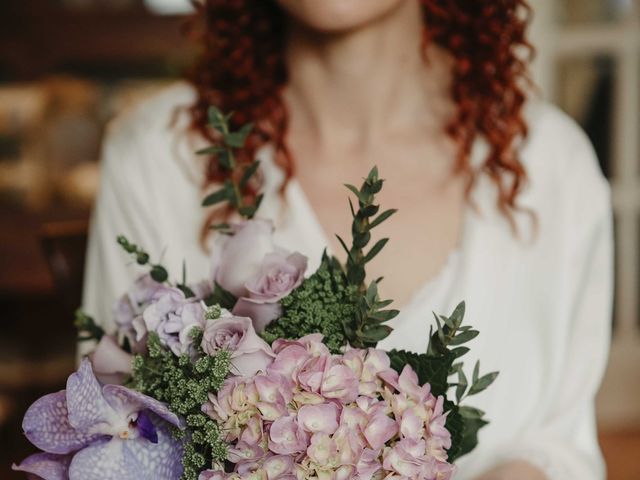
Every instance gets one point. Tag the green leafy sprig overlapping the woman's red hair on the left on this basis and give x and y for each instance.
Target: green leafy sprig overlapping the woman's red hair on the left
(234, 188)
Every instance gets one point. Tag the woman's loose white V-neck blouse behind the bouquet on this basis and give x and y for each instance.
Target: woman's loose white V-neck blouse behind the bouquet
(542, 300)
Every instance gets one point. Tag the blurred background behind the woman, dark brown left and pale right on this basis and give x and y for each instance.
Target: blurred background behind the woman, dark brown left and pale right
(68, 66)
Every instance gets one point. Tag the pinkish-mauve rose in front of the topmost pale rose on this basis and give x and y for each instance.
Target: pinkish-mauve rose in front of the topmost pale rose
(279, 274)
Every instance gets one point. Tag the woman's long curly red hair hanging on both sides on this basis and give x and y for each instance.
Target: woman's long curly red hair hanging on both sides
(241, 68)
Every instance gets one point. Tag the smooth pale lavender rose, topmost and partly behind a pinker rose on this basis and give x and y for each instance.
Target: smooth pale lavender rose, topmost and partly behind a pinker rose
(242, 254)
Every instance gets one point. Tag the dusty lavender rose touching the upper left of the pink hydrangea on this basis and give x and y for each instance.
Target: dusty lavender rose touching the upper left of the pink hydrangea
(249, 353)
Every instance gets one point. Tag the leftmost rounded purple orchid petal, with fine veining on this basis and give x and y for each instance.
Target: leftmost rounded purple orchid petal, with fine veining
(46, 425)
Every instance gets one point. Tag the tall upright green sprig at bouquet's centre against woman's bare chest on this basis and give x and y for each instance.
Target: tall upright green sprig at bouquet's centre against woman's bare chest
(366, 327)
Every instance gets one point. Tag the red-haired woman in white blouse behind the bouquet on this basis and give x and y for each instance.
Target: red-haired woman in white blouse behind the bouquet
(501, 201)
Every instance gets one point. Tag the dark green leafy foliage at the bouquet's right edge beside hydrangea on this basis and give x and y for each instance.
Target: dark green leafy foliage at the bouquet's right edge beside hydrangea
(437, 365)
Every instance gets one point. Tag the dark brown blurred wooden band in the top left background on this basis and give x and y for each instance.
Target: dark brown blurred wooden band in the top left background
(39, 38)
